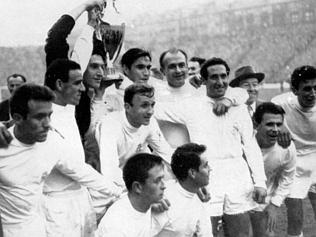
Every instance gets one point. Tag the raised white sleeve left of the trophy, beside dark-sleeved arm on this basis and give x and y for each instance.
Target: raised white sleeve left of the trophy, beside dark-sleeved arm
(83, 47)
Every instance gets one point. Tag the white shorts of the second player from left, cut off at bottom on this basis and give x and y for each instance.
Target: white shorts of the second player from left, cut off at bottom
(69, 213)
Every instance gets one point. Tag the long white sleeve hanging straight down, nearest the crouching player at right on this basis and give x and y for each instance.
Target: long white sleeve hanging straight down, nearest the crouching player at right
(251, 148)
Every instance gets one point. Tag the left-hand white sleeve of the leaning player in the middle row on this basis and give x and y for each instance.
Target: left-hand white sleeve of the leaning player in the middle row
(106, 133)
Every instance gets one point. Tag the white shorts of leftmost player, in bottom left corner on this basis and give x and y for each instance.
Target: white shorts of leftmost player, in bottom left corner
(36, 227)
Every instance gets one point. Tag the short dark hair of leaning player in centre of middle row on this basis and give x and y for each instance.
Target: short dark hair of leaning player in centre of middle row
(137, 88)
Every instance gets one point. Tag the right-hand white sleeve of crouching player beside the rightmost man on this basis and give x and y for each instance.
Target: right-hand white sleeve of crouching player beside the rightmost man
(286, 177)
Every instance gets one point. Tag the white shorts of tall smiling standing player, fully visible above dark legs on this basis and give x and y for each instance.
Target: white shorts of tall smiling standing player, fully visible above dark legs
(231, 188)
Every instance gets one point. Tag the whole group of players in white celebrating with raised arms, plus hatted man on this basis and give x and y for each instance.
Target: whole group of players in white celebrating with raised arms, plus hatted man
(174, 159)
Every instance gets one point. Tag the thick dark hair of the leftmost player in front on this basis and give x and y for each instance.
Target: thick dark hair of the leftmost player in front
(26, 92)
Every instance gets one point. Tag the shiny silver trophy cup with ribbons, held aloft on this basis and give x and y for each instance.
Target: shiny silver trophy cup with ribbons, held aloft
(112, 37)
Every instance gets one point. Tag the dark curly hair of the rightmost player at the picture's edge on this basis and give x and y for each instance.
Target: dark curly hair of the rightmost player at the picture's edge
(302, 73)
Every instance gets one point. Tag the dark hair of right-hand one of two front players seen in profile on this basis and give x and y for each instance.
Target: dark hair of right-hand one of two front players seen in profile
(186, 157)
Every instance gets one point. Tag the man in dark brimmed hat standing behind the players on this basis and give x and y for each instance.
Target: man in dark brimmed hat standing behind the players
(246, 77)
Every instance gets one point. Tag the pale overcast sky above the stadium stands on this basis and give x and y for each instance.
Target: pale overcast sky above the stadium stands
(26, 22)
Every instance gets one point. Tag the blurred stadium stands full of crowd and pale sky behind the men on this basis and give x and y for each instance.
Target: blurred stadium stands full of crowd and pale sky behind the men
(274, 36)
